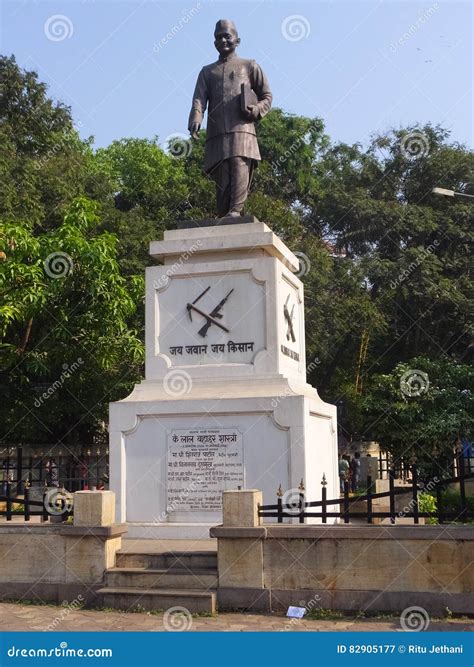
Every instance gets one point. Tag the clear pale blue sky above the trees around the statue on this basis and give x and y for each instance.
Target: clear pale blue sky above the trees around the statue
(128, 68)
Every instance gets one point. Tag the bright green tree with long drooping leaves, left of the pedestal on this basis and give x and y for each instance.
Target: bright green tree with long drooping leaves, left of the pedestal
(67, 346)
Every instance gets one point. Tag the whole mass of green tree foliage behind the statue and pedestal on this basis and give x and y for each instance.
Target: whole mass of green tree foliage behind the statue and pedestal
(386, 265)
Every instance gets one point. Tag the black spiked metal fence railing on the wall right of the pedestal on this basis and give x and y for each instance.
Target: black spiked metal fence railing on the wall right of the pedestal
(362, 506)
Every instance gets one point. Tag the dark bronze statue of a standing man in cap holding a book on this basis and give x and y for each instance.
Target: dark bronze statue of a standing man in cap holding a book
(236, 93)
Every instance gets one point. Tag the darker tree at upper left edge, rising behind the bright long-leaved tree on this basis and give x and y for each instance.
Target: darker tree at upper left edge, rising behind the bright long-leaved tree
(43, 163)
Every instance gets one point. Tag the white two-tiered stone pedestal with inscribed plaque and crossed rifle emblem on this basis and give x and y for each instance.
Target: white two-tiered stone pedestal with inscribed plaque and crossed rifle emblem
(225, 403)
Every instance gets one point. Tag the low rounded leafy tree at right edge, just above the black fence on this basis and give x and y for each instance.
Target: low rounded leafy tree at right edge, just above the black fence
(421, 409)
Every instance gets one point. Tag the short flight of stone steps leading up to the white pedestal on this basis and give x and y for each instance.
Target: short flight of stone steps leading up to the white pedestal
(155, 581)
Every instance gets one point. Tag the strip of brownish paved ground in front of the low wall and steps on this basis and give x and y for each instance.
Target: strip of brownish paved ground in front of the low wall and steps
(22, 617)
